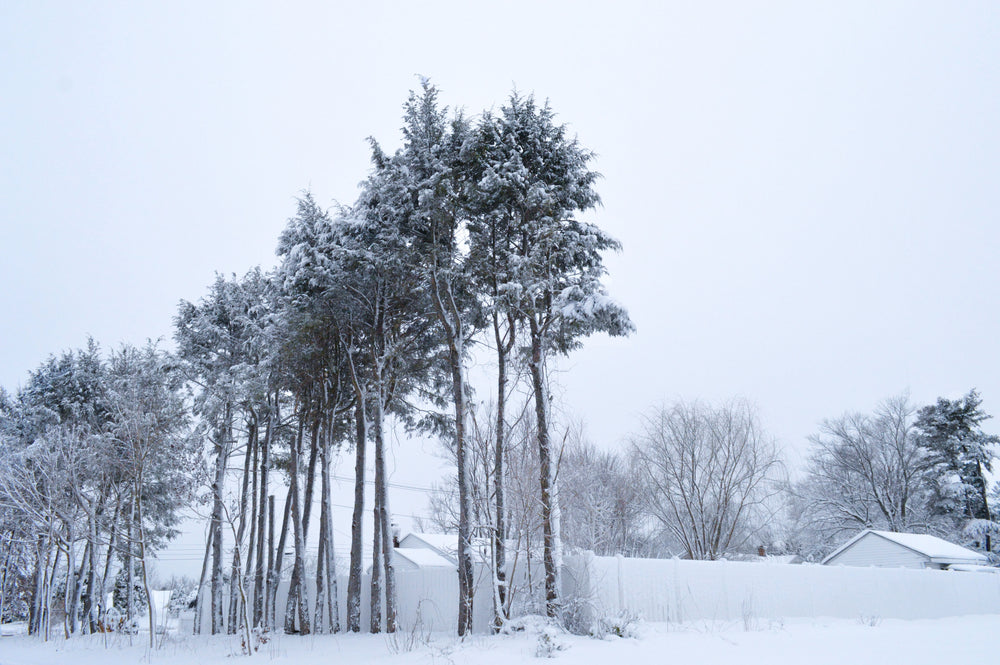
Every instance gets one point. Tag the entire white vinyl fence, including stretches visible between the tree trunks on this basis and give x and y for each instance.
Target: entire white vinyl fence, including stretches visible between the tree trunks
(675, 590)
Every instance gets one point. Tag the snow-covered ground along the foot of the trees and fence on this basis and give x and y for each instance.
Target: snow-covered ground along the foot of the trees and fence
(816, 641)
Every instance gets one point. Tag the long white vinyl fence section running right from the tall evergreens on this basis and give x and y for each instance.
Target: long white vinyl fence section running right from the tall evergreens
(676, 590)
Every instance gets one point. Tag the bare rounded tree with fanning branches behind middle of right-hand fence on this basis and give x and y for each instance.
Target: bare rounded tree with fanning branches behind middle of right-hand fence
(708, 473)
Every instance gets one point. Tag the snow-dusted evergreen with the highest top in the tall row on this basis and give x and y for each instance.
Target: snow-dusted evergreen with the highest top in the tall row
(417, 192)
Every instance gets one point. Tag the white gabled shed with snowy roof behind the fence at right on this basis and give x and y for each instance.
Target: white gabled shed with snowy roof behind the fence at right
(888, 549)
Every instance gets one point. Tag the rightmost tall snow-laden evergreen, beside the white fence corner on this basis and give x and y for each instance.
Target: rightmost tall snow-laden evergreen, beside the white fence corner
(541, 178)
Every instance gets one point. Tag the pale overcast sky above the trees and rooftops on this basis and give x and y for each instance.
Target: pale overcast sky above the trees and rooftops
(807, 193)
